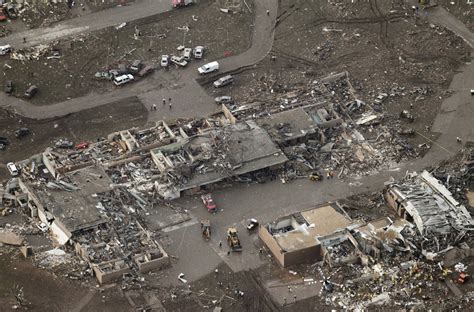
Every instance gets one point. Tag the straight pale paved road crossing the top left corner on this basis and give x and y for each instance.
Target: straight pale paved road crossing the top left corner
(89, 22)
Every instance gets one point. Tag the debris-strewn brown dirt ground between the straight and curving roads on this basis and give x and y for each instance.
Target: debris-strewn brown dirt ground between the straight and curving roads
(72, 75)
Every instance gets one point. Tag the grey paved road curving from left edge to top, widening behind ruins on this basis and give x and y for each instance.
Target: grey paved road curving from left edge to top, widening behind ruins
(189, 99)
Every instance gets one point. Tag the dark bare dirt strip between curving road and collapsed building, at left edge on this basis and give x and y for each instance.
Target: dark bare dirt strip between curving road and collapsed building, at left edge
(87, 125)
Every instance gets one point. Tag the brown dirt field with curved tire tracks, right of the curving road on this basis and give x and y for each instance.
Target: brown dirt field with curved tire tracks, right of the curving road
(413, 63)
